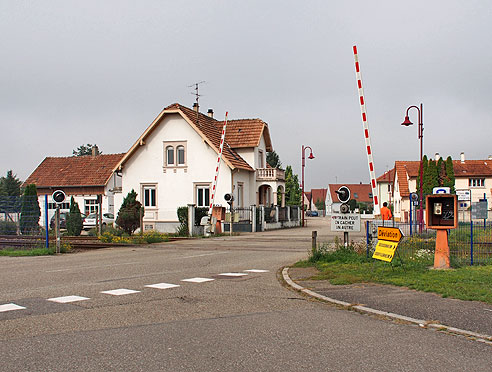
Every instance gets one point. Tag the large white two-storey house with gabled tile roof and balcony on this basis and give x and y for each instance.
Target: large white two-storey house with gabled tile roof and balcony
(173, 164)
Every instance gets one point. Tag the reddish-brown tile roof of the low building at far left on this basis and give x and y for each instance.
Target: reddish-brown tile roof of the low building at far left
(74, 171)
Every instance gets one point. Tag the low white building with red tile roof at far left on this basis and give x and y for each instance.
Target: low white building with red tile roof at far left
(84, 177)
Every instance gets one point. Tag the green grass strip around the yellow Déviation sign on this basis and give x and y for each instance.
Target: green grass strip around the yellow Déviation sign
(345, 266)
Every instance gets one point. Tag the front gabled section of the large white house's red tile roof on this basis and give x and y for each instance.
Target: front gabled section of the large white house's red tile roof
(209, 128)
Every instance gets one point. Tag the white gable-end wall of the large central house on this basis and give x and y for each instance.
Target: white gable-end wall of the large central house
(175, 186)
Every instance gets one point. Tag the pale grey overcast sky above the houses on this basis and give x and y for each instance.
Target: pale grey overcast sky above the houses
(77, 72)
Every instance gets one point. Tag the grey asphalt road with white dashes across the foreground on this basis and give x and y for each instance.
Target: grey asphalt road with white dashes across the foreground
(231, 323)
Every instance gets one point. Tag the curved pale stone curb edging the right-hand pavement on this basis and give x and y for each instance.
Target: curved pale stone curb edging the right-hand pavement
(367, 310)
